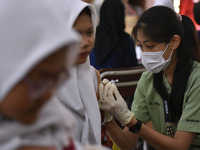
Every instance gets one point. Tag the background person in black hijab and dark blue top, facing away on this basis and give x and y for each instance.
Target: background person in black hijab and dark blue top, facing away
(113, 47)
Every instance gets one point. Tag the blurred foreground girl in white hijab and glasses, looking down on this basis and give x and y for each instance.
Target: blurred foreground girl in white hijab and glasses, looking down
(33, 38)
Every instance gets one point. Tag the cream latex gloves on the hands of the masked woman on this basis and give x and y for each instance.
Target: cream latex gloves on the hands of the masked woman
(112, 102)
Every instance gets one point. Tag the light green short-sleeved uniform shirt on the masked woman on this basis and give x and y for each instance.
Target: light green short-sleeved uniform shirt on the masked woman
(148, 105)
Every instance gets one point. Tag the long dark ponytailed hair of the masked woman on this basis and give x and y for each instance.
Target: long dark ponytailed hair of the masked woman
(160, 24)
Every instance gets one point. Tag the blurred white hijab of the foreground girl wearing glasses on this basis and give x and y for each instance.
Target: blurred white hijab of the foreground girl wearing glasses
(30, 31)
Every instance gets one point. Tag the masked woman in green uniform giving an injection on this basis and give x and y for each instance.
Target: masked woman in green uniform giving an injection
(167, 93)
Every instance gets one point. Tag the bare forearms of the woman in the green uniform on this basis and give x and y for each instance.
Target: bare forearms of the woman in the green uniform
(126, 140)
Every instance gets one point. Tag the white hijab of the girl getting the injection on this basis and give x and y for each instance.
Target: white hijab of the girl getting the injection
(79, 94)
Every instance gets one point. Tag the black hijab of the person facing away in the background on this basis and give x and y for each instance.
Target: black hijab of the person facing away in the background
(110, 30)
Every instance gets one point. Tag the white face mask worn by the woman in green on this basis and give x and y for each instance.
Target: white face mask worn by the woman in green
(154, 61)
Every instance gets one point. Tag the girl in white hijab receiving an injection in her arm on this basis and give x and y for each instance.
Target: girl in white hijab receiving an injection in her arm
(79, 94)
